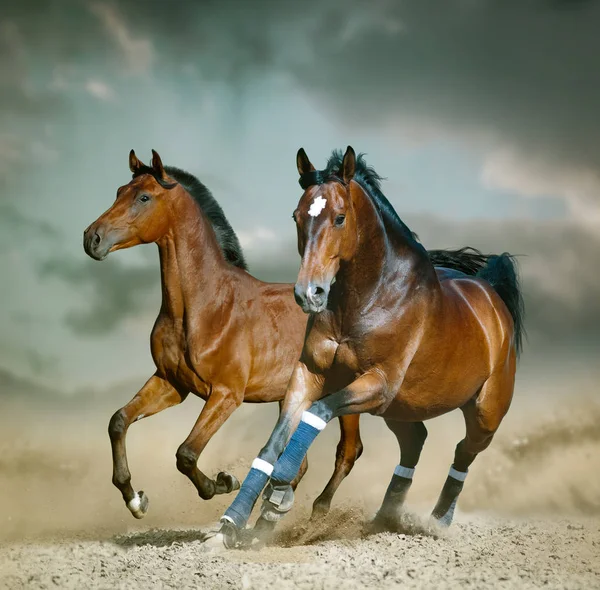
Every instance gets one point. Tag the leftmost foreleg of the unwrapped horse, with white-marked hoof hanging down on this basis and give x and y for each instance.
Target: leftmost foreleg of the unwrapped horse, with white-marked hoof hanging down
(156, 395)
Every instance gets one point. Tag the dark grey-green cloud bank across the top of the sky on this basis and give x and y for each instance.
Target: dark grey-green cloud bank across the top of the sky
(517, 72)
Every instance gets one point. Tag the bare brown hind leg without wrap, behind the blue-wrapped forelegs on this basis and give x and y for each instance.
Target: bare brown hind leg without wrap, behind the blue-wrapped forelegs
(349, 449)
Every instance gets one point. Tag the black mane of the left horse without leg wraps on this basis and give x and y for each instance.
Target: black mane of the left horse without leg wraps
(226, 237)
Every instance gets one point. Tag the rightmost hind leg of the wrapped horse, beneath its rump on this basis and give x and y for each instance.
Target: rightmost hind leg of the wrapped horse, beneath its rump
(483, 415)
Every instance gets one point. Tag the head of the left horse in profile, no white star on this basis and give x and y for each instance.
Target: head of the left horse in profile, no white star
(139, 215)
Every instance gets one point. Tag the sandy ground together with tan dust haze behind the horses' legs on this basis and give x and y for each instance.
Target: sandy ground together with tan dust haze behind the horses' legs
(529, 516)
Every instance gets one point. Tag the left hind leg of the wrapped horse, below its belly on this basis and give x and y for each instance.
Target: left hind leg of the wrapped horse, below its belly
(411, 438)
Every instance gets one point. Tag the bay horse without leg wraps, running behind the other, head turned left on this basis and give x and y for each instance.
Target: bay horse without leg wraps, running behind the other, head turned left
(221, 333)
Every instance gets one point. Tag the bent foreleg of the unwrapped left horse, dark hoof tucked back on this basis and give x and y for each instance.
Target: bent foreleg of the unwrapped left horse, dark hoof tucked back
(219, 406)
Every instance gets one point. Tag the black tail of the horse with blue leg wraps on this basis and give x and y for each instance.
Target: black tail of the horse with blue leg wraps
(499, 271)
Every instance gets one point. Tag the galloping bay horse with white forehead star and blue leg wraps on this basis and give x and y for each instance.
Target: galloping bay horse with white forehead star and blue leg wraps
(388, 334)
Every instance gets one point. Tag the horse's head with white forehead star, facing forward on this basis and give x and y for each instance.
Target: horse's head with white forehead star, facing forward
(327, 231)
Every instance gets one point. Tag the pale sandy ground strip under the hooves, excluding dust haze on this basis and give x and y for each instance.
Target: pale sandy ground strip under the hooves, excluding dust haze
(476, 553)
